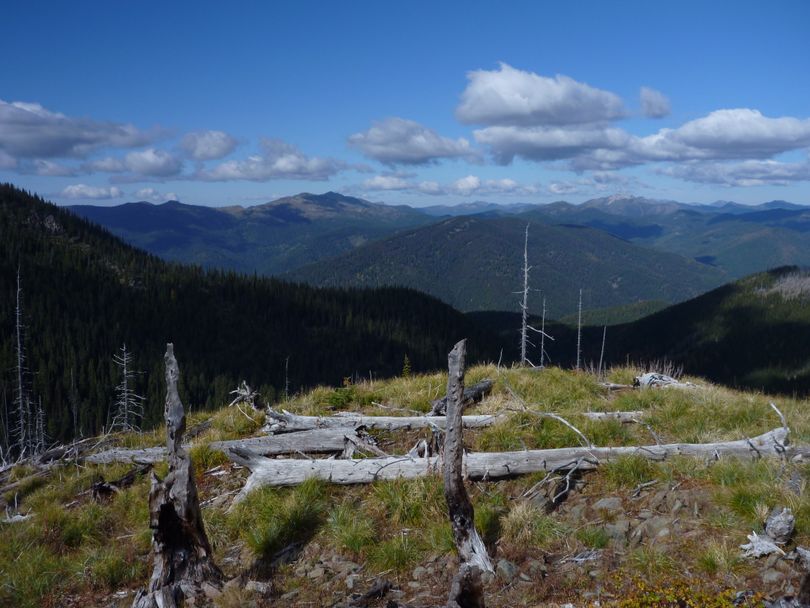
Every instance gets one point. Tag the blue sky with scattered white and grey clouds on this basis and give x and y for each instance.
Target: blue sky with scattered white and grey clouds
(417, 102)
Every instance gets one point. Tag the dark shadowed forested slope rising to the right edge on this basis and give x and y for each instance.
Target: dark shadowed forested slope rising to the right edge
(751, 333)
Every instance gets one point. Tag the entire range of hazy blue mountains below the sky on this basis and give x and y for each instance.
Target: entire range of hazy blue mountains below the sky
(332, 239)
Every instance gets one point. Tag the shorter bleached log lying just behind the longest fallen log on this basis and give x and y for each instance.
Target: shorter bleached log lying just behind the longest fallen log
(285, 422)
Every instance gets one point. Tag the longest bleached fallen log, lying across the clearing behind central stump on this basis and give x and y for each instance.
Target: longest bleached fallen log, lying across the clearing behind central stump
(489, 465)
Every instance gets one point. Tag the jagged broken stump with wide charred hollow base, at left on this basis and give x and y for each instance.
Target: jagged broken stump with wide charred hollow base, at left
(183, 564)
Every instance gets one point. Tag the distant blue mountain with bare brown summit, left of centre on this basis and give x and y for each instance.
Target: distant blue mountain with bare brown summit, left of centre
(268, 239)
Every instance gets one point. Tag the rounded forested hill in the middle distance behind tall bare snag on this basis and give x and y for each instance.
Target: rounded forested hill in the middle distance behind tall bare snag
(475, 263)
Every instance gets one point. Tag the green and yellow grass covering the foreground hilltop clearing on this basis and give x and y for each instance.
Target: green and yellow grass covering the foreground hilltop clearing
(73, 547)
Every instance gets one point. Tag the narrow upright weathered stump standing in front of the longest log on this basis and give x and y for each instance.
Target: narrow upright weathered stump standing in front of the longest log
(466, 590)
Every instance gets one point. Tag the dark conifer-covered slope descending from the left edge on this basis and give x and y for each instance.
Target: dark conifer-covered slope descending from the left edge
(85, 293)
